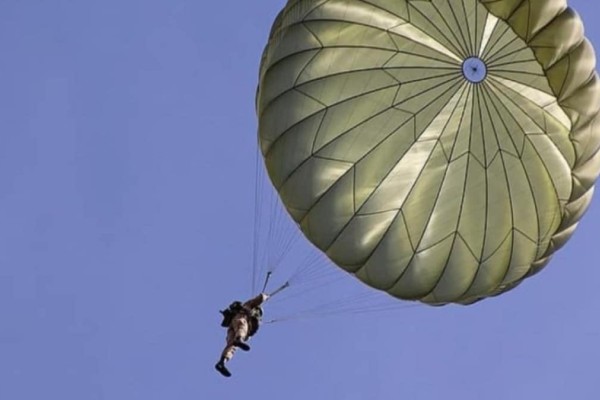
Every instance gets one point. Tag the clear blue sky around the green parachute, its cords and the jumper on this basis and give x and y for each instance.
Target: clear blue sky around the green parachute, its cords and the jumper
(127, 144)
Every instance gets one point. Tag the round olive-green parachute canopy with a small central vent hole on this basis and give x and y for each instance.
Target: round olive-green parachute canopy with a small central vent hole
(441, 150)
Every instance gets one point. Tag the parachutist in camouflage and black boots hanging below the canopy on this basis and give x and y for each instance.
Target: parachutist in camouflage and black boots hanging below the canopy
(242, 321)
